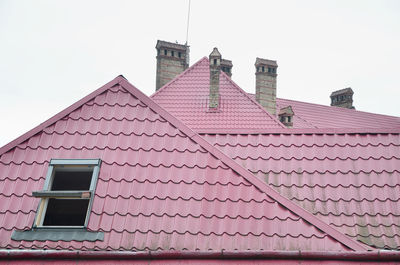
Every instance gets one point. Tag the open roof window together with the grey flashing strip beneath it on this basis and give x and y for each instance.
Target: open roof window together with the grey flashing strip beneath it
(65, 204)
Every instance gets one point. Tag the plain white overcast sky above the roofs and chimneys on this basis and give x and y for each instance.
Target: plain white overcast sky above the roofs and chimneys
(53, 53)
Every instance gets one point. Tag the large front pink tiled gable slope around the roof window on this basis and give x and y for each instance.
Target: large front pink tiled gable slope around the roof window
(160, 187)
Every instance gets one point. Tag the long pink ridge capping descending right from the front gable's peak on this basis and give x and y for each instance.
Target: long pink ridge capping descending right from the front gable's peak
(259, 184)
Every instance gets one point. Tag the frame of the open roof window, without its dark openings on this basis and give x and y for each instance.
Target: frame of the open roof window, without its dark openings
(46, 193)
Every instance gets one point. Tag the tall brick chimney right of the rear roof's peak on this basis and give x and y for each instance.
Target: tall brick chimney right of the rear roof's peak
(266, 84)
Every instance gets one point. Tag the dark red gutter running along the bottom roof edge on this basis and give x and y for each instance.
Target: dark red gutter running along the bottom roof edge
(380, 255)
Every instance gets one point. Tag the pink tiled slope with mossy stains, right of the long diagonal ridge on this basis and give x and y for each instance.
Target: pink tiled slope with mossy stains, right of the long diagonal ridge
(349, 180)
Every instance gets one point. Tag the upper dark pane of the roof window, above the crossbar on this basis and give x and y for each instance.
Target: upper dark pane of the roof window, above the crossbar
(71, 180)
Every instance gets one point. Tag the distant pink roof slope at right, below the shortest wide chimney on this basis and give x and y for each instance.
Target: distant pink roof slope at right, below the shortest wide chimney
(309, 115)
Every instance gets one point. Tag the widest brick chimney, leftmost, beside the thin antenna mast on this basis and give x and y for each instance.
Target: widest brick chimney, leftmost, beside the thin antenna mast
(172, 59)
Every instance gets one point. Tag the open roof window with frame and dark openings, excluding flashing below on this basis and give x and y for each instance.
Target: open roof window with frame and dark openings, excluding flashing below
(68, 192)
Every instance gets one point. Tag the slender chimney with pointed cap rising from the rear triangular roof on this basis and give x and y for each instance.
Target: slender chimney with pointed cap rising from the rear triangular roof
(215, 67)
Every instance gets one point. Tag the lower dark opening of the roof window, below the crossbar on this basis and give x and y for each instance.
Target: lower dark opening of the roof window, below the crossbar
(66, 212)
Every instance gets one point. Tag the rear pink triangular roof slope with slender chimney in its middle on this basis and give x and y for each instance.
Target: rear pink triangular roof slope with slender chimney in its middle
(186, 97)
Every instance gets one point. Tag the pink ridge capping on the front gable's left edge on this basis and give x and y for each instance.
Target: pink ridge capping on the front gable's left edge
(60, 115)
